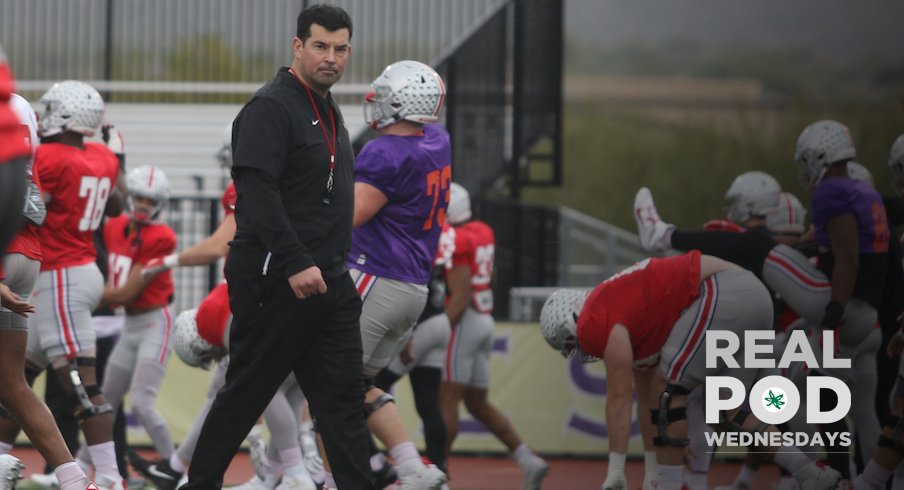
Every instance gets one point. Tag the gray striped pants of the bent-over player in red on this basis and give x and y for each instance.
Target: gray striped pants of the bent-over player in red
(732, 300)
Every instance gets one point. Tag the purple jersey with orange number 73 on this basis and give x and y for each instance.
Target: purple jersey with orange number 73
(414, 173)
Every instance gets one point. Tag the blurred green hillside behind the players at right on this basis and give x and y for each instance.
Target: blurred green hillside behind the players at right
(689, 156)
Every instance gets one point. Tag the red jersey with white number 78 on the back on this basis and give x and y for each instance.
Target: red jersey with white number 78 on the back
(78, 181)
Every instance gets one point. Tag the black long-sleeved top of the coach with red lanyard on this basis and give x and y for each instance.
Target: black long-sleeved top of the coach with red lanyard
(281, 163)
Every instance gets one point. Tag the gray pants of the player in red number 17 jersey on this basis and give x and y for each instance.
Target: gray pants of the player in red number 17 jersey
(146, 337)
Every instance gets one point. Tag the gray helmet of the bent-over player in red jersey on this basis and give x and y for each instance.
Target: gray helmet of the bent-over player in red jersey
(559, 319)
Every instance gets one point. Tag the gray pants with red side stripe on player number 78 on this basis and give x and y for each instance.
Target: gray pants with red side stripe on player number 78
(61, 326)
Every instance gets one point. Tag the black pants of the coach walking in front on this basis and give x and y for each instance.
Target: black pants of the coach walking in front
(274, 333)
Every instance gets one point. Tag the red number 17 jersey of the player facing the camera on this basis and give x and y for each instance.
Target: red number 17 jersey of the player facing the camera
(138, 246)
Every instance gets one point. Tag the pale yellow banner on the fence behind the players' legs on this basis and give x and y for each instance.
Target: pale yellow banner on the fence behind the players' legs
(556, 405)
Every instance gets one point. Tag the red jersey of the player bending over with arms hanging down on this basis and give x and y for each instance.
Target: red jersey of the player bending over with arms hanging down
(647, 298)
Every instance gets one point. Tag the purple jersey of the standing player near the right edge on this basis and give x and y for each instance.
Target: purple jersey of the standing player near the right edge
(838, 196)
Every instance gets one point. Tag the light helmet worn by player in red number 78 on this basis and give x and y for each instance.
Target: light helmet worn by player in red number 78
(71, 106)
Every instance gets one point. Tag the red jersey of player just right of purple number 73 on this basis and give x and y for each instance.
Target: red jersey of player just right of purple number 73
(475, 246)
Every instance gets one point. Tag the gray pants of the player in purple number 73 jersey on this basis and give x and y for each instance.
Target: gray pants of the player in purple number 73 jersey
(390, 309)
